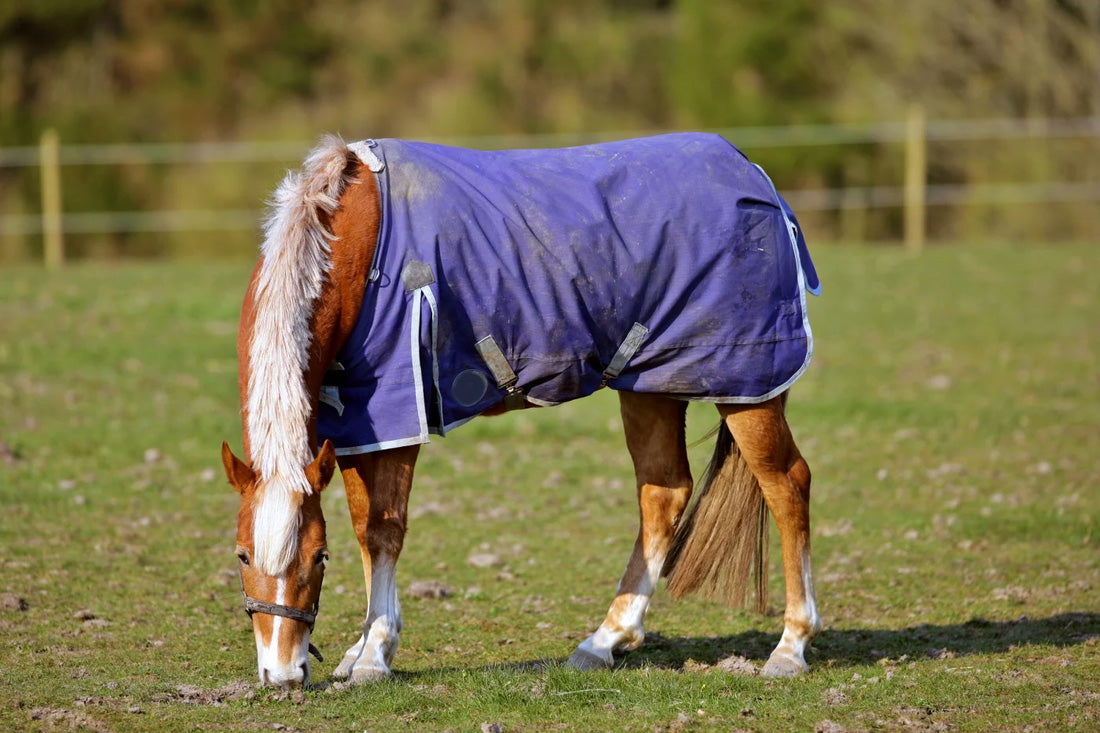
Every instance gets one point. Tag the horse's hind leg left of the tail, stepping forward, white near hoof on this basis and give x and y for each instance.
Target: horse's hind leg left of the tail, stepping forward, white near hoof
(655, 435)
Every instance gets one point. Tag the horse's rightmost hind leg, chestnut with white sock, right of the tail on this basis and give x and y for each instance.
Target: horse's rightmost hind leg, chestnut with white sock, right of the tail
(765, 440)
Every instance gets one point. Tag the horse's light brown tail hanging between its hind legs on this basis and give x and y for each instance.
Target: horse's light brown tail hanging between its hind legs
(723, 538)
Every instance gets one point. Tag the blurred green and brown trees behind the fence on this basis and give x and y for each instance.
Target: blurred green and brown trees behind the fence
(171, 71)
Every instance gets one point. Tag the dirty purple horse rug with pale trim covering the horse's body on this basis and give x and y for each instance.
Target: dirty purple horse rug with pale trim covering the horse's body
(667, 266)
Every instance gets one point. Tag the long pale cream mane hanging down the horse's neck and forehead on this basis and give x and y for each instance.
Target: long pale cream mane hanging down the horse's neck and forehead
(295, 264)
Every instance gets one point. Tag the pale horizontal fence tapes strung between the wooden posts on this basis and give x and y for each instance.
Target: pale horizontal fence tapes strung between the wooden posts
(244, 152)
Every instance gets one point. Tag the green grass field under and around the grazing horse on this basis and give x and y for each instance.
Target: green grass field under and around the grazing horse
(950, 418)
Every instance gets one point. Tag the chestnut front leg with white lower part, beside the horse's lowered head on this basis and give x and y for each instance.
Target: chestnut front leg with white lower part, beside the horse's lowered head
(378, 487)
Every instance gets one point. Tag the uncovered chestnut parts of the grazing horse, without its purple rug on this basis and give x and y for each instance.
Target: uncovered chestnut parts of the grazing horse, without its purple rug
(304, 302)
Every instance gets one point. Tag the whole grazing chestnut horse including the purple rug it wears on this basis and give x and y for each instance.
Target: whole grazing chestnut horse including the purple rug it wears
(668, 269)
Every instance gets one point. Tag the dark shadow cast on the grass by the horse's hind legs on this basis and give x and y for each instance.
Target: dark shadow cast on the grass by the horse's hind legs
(862, 647)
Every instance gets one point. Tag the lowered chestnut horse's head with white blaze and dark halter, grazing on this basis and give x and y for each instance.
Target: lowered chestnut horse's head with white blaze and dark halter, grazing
(282, 551)
